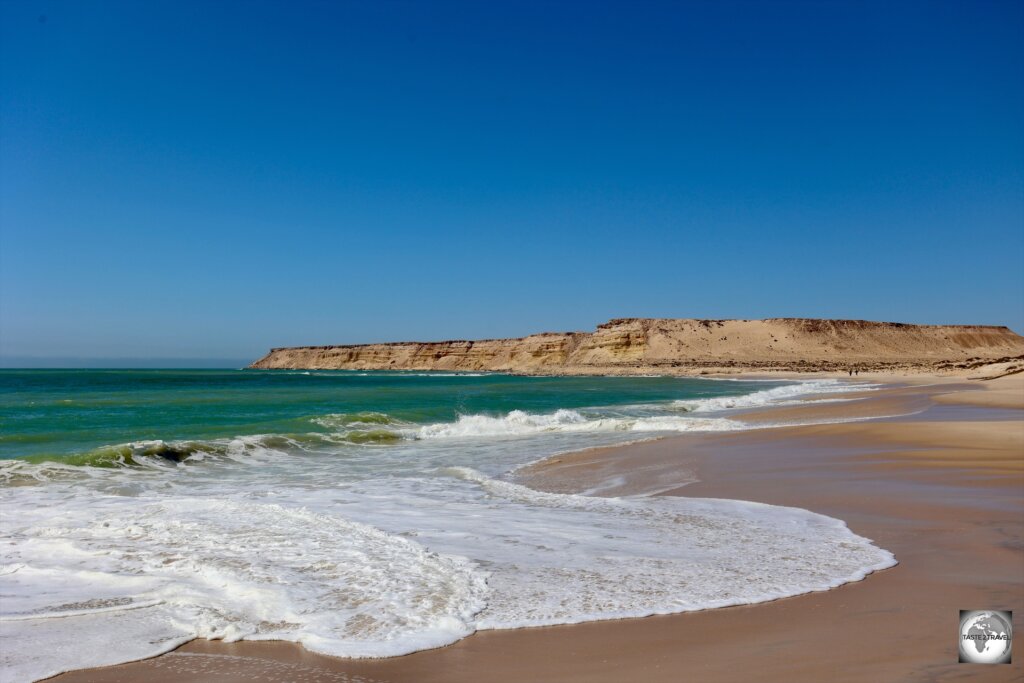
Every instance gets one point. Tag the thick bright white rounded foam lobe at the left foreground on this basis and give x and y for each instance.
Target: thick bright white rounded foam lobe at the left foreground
(189, 568)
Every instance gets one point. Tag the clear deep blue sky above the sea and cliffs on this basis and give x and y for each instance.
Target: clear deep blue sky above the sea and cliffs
(208, 180)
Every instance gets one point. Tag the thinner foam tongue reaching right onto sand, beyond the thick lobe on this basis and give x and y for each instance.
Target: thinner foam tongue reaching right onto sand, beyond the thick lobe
(615, 559)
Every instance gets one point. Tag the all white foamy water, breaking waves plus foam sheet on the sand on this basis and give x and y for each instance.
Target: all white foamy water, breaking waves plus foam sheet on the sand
(356, 551)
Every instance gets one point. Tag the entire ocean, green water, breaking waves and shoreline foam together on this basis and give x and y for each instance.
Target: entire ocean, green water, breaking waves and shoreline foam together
(364, 514)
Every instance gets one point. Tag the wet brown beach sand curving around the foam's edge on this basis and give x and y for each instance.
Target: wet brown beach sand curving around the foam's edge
(943, 488)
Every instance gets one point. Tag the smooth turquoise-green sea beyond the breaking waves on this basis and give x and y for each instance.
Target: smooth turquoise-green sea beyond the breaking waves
(54, 413)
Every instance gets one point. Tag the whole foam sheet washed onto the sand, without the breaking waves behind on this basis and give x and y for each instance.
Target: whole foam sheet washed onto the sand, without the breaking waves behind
(386, 568)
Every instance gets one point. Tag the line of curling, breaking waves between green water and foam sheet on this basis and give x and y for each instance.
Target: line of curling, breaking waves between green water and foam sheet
(380, 430)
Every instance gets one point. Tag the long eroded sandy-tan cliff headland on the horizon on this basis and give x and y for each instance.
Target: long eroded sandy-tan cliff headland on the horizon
(636, 346)
